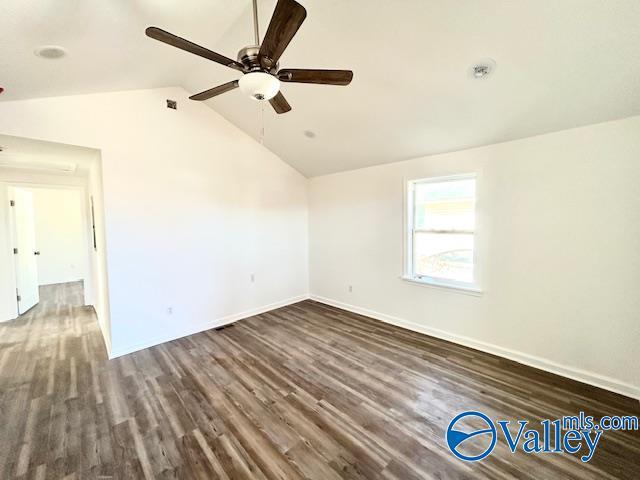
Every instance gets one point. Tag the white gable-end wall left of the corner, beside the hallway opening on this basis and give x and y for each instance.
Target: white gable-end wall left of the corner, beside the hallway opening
(192, 206)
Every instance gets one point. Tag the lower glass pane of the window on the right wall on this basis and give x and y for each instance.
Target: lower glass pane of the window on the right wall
(444, 255)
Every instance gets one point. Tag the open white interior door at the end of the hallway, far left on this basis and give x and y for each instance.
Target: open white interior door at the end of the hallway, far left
(24, 241)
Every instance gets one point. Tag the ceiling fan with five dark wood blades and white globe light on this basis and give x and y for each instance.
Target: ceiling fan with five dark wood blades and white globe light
(259, 63)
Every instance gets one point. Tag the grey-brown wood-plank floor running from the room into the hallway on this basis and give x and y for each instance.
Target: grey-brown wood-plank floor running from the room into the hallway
(306, 391)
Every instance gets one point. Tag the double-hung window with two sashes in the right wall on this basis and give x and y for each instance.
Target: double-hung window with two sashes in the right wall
(441, 230)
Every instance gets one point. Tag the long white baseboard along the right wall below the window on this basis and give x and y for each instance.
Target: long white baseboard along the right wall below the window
(580, 375)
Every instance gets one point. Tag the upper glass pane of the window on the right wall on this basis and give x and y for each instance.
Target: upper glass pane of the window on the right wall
(448, 205)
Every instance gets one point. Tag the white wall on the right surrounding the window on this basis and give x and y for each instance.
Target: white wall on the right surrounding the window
(558, 234)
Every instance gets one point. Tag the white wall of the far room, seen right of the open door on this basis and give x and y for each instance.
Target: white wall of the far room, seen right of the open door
(60, 235)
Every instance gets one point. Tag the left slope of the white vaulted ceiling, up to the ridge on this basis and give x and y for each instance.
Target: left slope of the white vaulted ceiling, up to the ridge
(108, 49)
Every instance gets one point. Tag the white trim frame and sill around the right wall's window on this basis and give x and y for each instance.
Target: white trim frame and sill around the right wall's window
(409, 194)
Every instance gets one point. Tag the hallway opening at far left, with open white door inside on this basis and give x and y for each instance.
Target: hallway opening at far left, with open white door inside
(52, 232)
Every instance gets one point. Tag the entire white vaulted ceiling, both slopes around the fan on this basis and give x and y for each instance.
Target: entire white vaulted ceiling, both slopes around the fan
(560, 65)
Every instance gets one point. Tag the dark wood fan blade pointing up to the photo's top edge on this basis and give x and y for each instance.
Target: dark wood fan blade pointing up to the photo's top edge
(285, 22)
